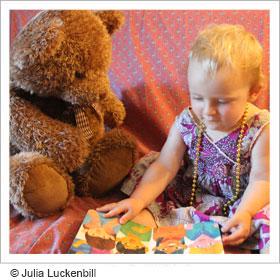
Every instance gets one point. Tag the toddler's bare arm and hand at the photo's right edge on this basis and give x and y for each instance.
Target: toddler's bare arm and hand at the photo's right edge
(256, 195)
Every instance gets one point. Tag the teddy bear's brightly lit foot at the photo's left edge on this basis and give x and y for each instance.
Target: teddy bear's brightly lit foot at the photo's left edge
(38, 187)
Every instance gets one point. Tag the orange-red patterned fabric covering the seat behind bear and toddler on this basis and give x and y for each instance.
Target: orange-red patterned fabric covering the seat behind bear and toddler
(148, 73)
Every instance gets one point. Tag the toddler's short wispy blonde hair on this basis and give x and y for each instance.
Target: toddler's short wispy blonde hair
(231, 47)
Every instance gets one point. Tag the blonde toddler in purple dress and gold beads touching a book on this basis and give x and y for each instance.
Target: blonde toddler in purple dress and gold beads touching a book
(214, 164)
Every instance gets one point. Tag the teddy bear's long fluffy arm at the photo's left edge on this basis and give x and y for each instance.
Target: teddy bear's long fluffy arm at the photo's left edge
(32, 130)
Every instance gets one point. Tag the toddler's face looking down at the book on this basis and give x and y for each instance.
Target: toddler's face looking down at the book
(218, 101)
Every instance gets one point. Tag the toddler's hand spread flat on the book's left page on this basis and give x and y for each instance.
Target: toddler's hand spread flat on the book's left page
(130, 206)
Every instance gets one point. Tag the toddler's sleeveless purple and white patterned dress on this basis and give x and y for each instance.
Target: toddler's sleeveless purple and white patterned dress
(216, 177)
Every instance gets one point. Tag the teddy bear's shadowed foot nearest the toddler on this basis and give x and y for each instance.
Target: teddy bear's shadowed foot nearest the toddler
(109, 163)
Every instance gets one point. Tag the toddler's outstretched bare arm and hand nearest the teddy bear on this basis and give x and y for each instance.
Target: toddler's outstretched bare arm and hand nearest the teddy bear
(155, 179)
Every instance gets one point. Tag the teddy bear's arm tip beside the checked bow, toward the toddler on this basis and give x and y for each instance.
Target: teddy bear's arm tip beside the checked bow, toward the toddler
(114, 111)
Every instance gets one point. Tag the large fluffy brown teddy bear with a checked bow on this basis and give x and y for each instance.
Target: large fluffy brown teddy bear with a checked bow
(60, 101)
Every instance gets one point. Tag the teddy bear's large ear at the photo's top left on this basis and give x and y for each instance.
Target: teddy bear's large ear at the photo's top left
(38, 41)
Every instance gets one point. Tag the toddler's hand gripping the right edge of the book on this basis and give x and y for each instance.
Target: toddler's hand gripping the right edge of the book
(238, 228)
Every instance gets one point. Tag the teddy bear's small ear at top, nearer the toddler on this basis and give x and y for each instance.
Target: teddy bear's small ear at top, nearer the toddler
(113, 20)
